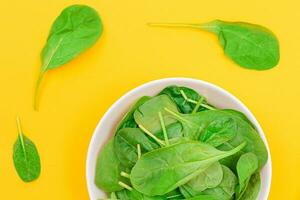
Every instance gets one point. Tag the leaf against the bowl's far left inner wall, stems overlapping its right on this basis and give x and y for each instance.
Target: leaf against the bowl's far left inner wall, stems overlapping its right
(108, 169)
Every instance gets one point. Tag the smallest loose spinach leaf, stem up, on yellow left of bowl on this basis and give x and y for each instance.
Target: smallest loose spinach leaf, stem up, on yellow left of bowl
(26, 157)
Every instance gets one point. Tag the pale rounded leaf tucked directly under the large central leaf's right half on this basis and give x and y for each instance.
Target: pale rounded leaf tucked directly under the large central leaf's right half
(209, 178)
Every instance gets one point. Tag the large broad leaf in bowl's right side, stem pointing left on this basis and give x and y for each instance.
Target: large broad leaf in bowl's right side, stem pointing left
(228, 132)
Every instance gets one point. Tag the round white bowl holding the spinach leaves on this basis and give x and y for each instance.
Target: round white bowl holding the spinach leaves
(214, 94)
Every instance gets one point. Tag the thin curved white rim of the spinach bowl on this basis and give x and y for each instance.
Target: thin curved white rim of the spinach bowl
(135, 90)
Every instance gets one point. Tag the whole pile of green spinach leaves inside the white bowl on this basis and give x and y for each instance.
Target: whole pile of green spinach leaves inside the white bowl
(177, 146)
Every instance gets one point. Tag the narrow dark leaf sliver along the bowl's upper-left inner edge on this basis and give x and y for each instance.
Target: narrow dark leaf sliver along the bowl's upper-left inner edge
(128, 120)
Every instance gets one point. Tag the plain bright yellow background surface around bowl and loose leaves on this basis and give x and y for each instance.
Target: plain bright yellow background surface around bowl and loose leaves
(75, 96)
